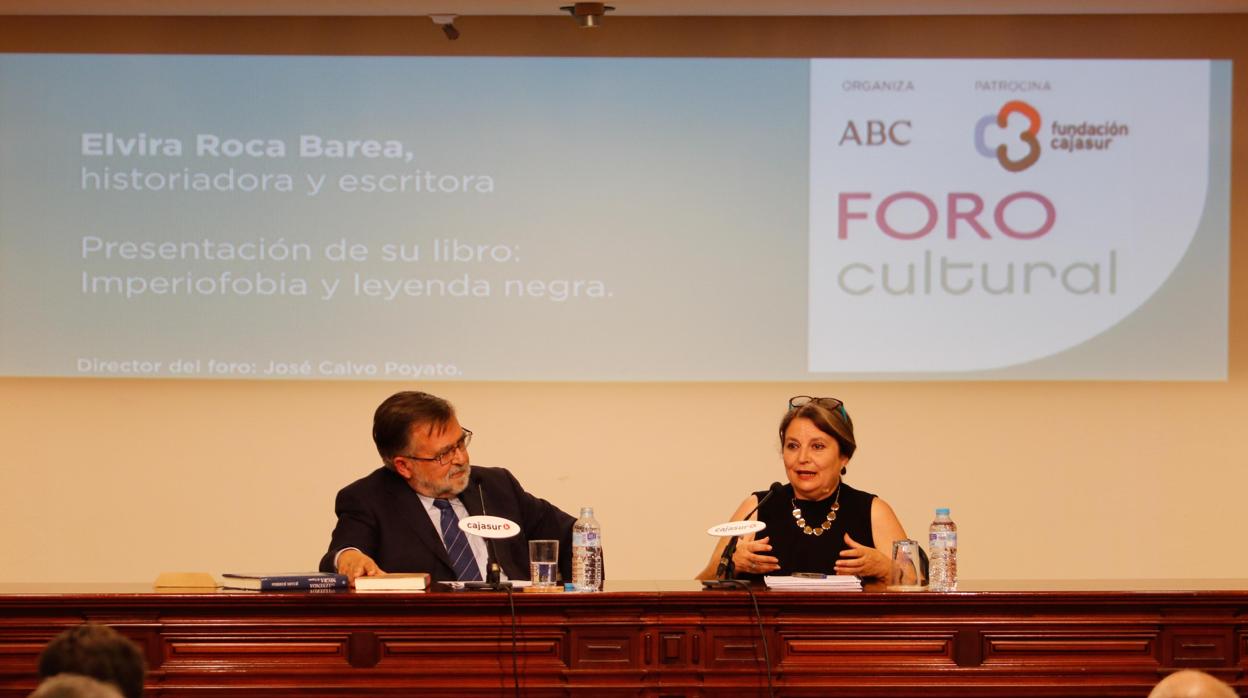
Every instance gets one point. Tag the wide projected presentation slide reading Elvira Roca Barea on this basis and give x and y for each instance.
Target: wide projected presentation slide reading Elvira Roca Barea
(530, 219)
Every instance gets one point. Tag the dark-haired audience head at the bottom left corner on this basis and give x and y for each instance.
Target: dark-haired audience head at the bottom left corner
(98, 652)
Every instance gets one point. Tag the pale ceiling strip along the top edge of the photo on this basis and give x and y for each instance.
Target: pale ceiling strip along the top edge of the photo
(623, 8)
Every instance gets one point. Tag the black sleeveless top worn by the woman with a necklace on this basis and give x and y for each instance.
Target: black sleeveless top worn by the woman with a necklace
(799, 553)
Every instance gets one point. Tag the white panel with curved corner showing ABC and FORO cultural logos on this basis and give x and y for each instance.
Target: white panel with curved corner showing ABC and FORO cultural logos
(977, 214)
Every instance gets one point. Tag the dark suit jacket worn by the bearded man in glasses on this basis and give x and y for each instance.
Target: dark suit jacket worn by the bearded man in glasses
(383, 516)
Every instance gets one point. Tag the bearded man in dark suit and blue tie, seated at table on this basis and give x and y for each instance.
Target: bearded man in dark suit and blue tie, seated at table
(404, 516)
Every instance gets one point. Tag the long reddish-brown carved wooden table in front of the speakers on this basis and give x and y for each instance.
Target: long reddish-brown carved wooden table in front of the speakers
(655, 639)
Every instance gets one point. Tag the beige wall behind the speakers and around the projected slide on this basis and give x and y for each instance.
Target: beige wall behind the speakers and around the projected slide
(118, 480)
